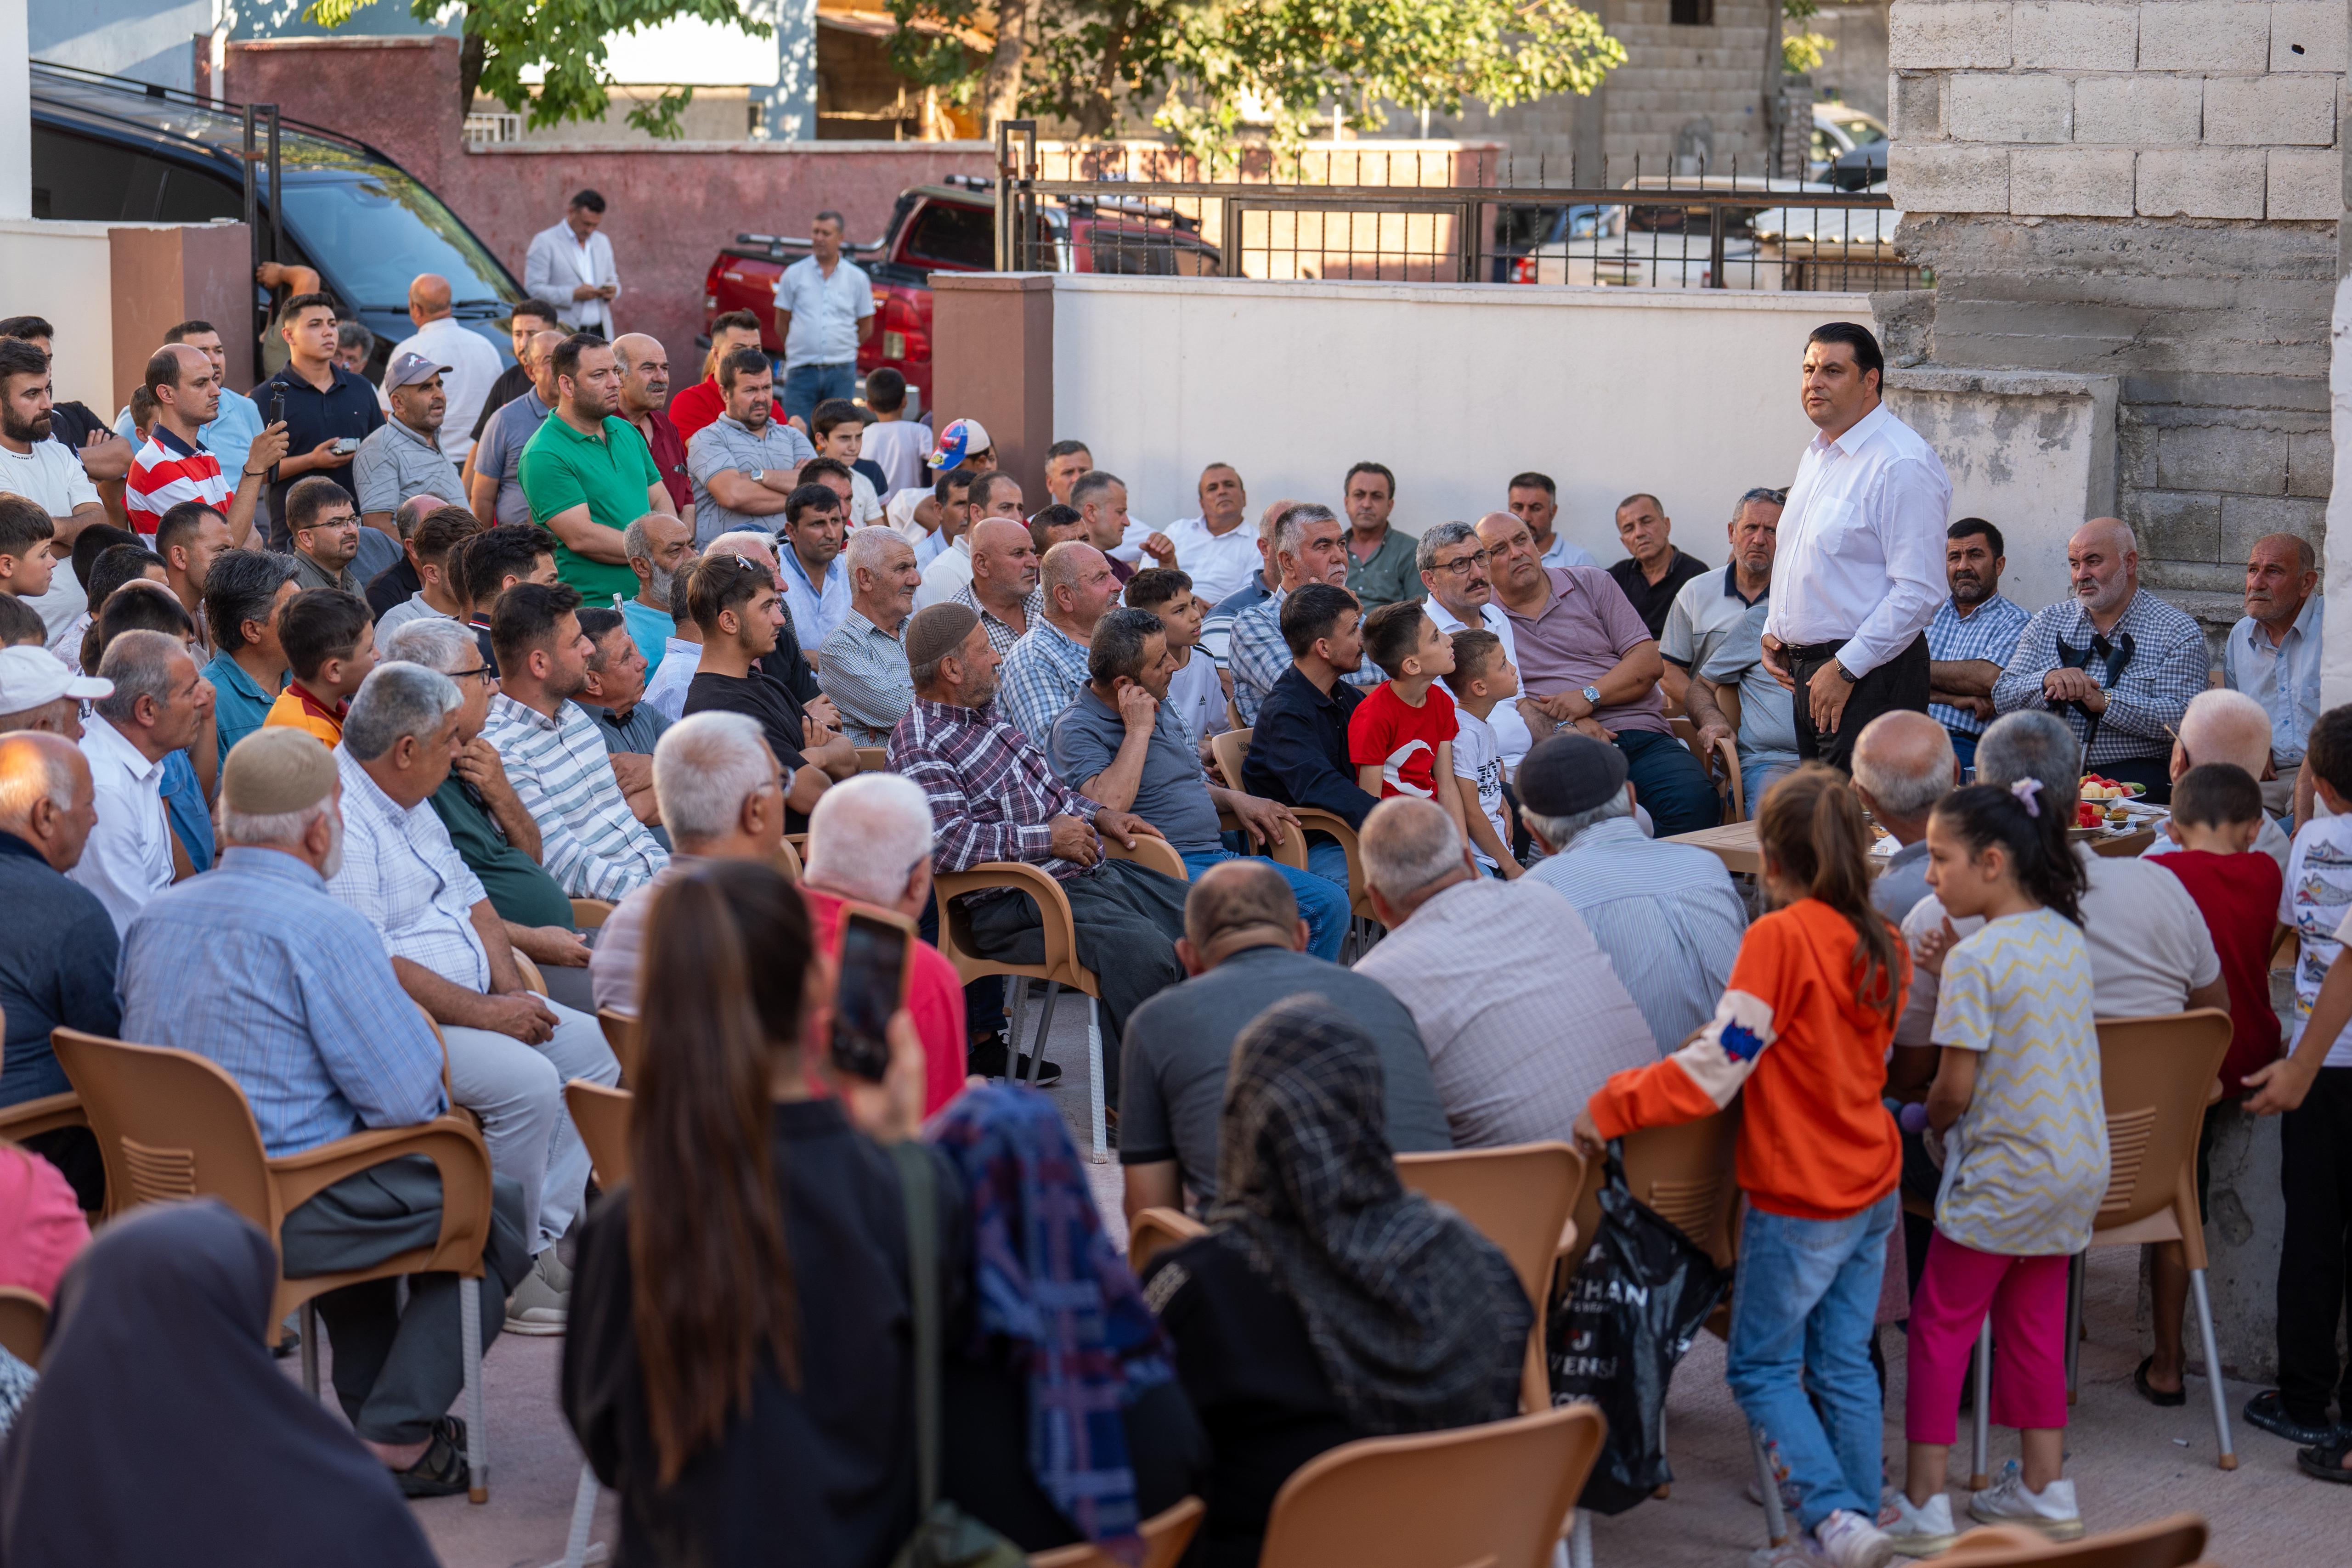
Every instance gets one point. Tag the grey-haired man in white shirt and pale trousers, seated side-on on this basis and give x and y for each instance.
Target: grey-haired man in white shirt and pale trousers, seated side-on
(509, 1047)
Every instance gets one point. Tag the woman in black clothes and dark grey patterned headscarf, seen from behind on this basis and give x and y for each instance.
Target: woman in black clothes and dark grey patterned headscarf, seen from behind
(1328, 1304)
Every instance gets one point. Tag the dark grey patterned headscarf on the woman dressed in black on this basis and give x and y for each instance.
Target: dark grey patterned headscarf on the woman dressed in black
(1417, 1320)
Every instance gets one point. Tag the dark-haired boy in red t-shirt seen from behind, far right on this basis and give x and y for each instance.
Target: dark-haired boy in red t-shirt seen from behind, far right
(2217, 817)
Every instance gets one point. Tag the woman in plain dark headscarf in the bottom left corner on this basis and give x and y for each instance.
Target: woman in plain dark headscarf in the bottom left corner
(161, 1430)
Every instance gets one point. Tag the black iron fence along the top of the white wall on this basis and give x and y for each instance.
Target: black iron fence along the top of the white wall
(1351, 210)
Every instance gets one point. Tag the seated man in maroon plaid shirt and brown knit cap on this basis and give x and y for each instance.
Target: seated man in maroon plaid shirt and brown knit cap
(994, 798)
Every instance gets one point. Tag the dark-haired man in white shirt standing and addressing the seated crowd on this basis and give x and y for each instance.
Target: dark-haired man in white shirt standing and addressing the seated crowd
(1859, 565)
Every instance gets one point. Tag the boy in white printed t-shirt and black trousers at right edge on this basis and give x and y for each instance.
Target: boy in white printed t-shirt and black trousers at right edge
(2311, 1090)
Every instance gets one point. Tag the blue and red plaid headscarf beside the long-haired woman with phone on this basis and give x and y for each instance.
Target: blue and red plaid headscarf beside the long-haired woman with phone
(1050, 1282)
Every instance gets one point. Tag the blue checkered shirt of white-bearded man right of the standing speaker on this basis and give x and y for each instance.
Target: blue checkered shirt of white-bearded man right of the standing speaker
(2167, 669)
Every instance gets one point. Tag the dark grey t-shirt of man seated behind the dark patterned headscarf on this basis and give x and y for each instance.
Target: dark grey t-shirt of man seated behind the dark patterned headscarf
(1172, 1073)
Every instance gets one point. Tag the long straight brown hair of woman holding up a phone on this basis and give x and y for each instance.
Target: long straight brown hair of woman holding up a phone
(714, 1280)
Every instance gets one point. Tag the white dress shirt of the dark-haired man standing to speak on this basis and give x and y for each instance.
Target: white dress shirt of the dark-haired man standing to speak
(1862, 544)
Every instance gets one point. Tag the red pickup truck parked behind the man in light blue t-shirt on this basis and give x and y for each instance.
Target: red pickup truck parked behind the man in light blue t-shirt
(951, 229)
